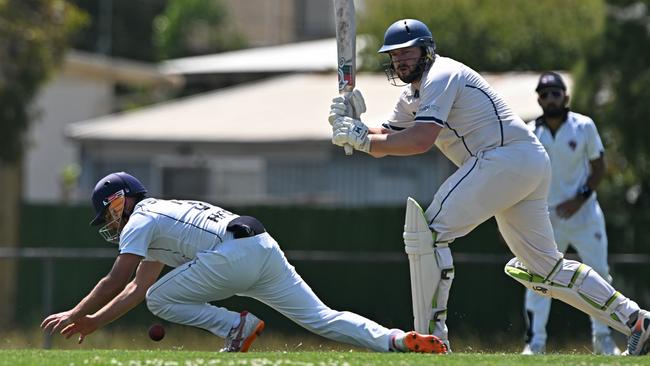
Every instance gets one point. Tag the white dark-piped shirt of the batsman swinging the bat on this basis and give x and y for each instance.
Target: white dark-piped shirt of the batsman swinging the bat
(475, 118)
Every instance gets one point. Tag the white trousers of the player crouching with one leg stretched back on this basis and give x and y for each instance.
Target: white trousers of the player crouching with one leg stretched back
(254, 267)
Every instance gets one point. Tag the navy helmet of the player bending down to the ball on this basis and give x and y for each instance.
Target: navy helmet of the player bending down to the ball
(108, 186)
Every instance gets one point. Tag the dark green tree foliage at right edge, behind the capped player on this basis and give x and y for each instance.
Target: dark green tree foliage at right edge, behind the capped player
(612, 87)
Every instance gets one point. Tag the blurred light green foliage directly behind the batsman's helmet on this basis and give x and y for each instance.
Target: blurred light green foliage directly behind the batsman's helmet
(494, 35)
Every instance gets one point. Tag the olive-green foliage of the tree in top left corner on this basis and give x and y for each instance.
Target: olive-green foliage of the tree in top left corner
(33, 39)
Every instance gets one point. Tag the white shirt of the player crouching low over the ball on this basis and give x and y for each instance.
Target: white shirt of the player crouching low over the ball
(174, 231)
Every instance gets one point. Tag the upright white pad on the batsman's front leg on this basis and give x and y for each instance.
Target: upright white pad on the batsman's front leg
(432, 271)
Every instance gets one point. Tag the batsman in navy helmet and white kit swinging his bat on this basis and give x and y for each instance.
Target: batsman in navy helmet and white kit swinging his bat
(503, 172)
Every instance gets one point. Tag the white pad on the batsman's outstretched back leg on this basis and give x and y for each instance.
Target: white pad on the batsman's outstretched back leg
(577, 285)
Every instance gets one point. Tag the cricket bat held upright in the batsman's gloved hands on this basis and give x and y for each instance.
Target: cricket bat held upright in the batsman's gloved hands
(346, 36)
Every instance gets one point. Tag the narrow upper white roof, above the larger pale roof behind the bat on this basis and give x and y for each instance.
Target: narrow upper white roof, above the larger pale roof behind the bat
(311, 56)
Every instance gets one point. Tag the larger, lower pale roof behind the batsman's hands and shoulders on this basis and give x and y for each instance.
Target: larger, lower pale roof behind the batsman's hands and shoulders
(285, 108)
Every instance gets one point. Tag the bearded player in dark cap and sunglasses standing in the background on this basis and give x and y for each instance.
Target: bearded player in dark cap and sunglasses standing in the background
(576, 152)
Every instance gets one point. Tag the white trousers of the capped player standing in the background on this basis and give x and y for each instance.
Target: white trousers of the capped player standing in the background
(585, 232)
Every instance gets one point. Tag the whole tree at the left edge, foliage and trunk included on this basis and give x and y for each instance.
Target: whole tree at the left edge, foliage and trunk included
(33, 36)
